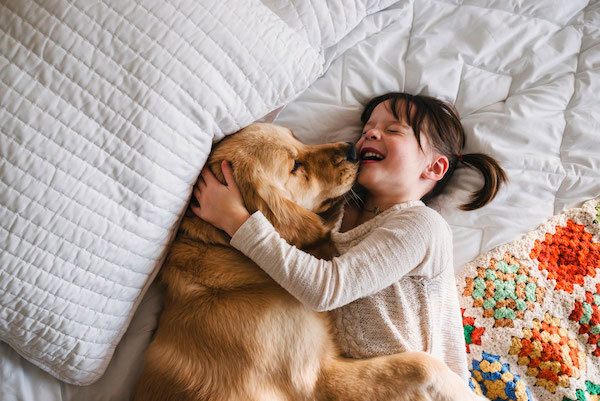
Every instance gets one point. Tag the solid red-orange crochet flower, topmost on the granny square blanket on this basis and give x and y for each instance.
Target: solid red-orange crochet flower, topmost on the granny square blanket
(569, 255)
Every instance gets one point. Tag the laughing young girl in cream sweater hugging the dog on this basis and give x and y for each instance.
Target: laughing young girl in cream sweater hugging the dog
(392, 288)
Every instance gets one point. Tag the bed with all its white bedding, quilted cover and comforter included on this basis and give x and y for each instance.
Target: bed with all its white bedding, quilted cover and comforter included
(108, 112)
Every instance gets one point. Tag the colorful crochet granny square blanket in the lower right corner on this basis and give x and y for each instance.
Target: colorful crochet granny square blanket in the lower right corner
(531, 312)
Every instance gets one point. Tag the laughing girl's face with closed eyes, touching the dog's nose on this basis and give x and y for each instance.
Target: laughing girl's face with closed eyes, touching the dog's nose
(391, 160)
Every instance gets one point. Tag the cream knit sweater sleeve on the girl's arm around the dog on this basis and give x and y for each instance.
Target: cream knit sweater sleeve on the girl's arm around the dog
(403, 244)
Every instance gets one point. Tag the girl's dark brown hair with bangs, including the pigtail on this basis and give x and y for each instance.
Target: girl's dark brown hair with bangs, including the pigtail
(440, 122)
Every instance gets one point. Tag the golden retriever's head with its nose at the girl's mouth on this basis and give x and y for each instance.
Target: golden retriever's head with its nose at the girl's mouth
(297, 187)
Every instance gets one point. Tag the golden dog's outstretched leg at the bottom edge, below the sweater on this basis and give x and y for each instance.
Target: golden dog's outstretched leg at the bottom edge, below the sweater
(409, 376)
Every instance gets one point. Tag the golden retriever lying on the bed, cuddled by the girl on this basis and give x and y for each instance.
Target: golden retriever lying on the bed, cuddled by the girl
(228, 332)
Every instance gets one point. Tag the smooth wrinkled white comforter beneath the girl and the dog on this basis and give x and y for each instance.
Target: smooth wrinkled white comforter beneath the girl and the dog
(525, 77)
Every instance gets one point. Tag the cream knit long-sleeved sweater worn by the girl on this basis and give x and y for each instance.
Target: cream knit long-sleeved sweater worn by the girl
(392, 288)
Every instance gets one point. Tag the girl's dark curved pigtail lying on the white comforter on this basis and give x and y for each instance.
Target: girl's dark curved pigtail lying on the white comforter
(493, 175)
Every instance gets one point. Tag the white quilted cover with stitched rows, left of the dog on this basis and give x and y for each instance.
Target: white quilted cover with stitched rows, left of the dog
(108, 110)
